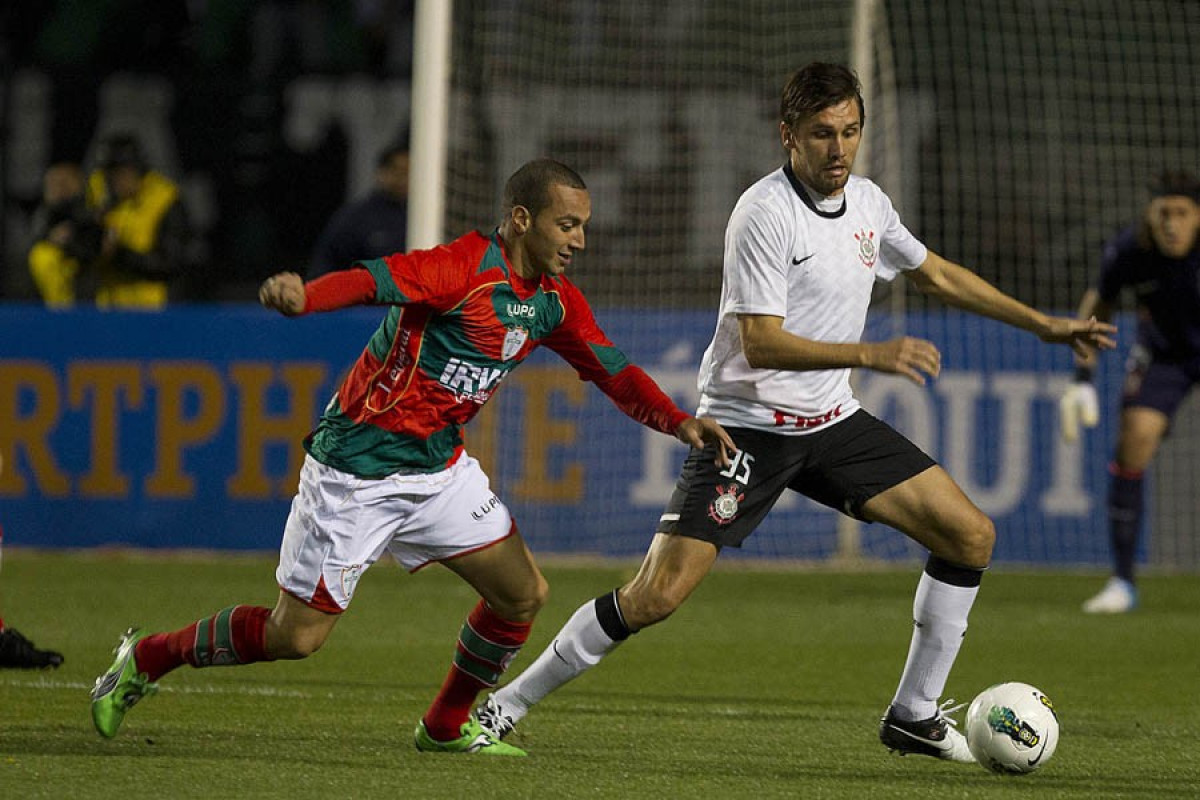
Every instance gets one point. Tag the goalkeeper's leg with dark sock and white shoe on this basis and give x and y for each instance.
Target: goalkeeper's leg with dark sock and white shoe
(1141, 435)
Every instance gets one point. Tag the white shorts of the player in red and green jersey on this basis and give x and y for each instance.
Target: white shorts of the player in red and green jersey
(340, 526)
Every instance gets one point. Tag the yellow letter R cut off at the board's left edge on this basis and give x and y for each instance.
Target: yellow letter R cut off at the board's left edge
(29, 434)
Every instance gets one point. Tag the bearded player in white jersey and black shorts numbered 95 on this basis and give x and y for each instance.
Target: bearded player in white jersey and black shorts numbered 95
(803, 249)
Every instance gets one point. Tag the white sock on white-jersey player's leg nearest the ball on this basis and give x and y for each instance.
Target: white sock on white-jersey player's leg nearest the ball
(940, 621)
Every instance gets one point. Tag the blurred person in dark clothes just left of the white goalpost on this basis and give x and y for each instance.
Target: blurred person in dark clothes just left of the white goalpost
(373, 227)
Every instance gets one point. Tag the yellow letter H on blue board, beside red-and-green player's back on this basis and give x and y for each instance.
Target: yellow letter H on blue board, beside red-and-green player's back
(257, 429)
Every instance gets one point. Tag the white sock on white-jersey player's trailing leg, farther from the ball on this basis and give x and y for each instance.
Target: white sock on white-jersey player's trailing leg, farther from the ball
(579, 647)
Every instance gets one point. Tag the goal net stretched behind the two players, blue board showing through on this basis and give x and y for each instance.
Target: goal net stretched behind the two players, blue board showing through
(1013, 139)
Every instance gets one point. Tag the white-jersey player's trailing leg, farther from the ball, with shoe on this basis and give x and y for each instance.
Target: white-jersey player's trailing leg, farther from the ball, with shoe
(671, 572)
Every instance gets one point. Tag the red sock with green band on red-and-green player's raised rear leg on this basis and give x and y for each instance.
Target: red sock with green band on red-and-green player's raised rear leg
(235, 636)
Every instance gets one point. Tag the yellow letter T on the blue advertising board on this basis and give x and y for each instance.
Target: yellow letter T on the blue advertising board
(106, 382)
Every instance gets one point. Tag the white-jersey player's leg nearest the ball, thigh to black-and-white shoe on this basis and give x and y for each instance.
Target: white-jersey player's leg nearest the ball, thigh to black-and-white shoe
(932, 509)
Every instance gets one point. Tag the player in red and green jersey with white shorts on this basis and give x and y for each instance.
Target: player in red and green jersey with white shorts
(387, 468)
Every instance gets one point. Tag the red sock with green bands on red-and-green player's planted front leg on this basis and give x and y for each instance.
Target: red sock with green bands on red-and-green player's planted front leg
(487, 646)
